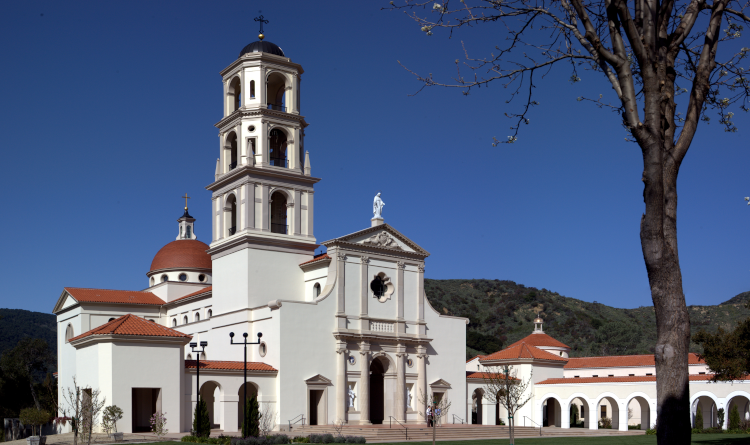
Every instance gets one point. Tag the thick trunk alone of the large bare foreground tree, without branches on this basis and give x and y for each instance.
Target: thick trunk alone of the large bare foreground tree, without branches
(659, 243)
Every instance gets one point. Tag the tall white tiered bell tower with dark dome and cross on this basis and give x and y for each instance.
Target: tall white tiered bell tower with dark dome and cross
(262, 194)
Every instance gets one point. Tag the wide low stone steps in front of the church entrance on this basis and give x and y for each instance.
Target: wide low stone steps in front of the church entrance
(420, 433)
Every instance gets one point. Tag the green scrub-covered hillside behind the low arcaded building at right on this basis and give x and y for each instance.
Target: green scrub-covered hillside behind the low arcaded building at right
(501, 312)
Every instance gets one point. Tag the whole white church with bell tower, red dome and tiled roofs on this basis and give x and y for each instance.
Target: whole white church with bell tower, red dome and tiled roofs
(347, 335)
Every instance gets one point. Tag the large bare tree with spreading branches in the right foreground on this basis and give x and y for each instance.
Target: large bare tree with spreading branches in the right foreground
(650, 52)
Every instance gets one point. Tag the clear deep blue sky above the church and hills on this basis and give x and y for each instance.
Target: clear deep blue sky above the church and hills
(107, 113)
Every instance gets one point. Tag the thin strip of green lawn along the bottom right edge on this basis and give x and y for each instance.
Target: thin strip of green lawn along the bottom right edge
(707, 439)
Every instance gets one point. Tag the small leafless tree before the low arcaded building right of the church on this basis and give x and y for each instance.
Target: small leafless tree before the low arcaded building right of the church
(502, 386)
